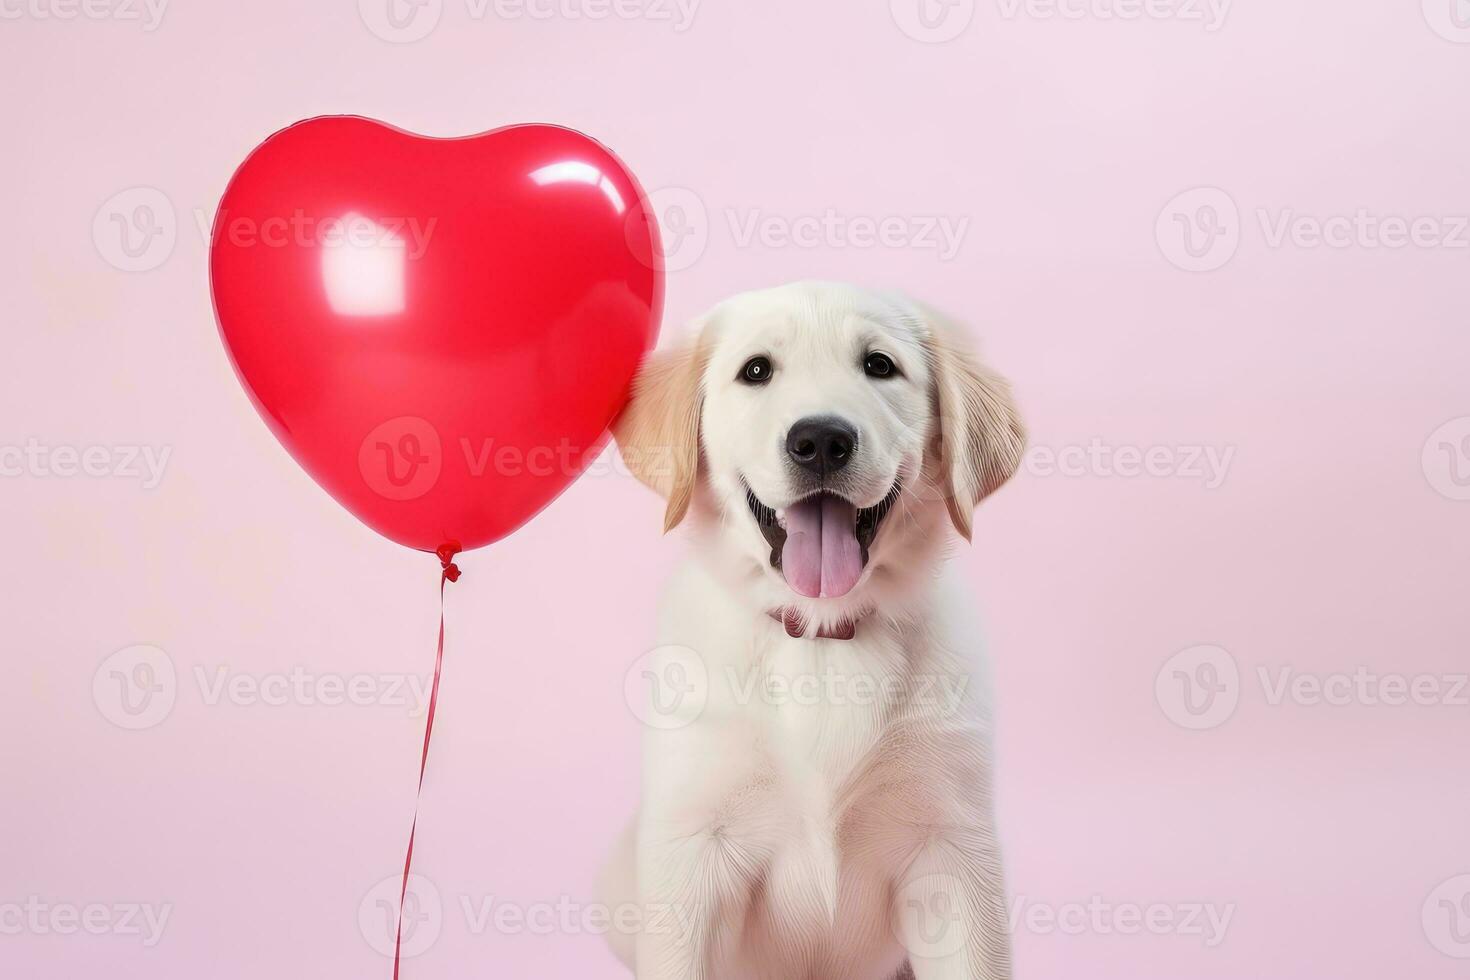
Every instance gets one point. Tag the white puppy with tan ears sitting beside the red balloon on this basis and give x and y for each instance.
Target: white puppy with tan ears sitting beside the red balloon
(817, 788)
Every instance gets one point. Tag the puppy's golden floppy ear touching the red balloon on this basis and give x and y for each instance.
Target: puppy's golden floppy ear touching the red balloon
(659, 430)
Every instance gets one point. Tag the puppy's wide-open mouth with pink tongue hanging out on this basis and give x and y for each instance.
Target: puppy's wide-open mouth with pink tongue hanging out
(821, 543)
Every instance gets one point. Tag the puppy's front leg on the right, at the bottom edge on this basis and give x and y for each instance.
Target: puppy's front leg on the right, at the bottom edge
(950, 910)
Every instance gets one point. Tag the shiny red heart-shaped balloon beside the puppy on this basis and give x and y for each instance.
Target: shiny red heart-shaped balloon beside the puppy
(440, 331)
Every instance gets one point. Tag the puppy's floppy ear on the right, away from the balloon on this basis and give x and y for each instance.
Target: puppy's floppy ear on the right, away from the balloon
(980, 431)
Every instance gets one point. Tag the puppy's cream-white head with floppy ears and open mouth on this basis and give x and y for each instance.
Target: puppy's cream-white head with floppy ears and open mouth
(824, 428)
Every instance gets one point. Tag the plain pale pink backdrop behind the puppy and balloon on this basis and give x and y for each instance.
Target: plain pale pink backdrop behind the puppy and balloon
(1330, 546)
